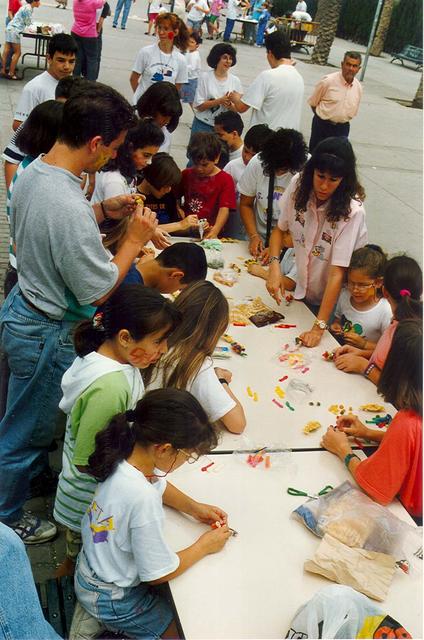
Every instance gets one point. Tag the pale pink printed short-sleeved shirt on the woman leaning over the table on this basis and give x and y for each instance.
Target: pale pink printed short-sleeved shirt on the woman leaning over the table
(319, 243)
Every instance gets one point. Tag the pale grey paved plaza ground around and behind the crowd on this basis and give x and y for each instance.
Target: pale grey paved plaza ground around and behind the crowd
(386, 135)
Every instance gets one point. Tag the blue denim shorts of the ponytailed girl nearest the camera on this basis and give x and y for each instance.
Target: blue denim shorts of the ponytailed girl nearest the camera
(137, 612)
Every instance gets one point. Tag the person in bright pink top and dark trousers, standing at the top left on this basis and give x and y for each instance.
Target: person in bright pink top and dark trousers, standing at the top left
(85, 33)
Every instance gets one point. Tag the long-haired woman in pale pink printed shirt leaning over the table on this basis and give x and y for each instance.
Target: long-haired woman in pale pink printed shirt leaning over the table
(323, 216)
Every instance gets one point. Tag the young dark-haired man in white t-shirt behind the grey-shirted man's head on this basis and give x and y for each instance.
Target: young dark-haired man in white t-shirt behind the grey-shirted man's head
(61, 57)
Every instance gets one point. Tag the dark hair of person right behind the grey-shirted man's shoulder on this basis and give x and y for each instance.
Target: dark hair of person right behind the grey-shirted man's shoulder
(40, 130)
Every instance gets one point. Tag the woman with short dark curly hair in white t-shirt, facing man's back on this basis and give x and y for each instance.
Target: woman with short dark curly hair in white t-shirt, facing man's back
(214, 87)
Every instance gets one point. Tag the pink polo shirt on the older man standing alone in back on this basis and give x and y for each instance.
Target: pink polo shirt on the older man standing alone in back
(335, 99)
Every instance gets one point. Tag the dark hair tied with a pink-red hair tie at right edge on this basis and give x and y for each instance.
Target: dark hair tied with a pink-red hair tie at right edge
(403, 281)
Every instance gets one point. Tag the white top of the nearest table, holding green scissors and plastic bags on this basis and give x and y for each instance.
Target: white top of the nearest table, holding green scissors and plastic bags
(253, 587)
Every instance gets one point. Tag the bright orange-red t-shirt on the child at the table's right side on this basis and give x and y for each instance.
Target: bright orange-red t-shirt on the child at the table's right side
(396, 466)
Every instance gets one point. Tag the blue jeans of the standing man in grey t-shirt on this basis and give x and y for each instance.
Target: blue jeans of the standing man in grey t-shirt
(39, 351)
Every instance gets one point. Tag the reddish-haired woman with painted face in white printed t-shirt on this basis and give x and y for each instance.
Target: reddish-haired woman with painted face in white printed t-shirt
(164, 60)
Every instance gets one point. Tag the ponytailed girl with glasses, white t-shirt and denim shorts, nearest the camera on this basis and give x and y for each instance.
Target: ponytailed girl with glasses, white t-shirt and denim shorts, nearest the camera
(125, 553)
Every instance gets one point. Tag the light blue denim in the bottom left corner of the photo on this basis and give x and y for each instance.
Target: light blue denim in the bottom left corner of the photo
(20, 611)
